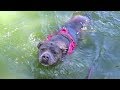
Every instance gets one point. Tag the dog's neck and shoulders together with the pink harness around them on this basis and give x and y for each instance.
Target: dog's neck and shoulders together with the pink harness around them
(64, 39)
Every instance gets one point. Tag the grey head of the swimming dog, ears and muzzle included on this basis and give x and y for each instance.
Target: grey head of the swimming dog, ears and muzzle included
(49, 53)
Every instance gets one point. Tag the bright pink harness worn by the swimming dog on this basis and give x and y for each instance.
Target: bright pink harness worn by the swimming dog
(65, 32)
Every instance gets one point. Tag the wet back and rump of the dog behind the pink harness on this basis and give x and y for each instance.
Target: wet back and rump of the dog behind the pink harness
(75, 24)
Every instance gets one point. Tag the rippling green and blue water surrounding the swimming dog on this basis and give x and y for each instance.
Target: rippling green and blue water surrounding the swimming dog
(97, 55)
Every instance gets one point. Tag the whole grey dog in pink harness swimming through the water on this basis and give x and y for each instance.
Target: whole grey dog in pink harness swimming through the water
(62, 42)
